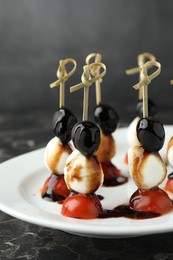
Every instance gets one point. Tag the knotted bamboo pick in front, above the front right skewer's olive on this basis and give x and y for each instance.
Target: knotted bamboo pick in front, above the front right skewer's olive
(146, 80)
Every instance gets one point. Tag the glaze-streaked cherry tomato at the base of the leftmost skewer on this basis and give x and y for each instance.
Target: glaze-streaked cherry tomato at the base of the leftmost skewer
(55, 186)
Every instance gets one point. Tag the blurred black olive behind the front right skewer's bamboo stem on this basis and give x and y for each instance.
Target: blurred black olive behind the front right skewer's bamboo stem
(152, 108)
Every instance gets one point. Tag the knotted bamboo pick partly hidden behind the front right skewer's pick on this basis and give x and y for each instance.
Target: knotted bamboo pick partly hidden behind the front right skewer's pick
(141, 60)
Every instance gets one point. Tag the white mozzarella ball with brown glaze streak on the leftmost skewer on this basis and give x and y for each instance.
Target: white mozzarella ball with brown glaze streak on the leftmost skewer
(55, 156)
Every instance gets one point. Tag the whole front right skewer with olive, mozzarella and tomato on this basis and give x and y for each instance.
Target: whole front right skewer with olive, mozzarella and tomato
(146, 166)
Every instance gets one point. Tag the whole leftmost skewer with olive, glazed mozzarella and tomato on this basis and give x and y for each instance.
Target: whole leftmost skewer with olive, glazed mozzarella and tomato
(58, 149)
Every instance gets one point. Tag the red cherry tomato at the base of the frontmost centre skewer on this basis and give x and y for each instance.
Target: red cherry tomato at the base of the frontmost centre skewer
(82, 206)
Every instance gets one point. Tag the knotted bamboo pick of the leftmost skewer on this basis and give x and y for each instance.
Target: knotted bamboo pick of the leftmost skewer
(63, 76)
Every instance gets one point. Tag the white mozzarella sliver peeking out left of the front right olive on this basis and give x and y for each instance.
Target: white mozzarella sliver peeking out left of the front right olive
(131, 133)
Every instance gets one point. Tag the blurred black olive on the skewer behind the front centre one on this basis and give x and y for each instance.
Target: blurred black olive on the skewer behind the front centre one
(106, 117)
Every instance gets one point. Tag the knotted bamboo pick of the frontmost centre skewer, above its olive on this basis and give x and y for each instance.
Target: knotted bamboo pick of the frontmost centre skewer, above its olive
(87, 81)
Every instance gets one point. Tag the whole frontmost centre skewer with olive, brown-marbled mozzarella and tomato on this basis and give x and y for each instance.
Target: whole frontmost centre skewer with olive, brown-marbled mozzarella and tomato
(83, 173)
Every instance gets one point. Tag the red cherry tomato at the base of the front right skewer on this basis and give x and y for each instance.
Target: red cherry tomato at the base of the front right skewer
(154, 200)
